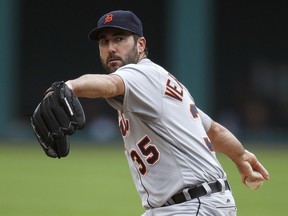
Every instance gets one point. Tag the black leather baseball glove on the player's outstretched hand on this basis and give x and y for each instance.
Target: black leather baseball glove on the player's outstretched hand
(56, 117)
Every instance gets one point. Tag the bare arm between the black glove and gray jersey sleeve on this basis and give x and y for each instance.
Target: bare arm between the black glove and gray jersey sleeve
(96, 86)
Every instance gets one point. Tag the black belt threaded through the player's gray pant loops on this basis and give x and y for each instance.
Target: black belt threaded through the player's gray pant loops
(198, 191)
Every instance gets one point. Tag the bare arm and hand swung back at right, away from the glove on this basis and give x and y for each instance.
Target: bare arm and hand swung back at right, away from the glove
(224, 141)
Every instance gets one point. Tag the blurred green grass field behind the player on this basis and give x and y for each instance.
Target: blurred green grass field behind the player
(97, 181)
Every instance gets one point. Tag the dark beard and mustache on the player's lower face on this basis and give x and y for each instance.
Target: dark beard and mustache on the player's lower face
(131, 58)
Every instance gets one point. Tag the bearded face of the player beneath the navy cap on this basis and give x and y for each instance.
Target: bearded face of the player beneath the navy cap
(117, 48)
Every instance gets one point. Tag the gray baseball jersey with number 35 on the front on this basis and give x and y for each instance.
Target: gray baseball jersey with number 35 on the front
(164, 134)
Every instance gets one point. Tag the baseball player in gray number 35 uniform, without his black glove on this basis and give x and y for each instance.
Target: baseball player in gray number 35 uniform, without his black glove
(170, 143)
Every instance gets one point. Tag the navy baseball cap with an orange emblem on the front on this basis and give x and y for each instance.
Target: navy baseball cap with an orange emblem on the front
(120, 19)
